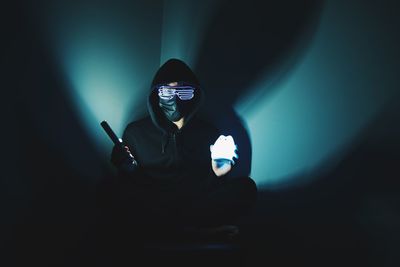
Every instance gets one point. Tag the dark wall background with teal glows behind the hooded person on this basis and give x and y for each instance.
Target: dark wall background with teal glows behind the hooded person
(309, 89)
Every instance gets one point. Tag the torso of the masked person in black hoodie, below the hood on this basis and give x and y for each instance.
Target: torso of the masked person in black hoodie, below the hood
(171, 157)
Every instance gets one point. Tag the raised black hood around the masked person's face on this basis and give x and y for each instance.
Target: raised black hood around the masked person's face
(174, 70)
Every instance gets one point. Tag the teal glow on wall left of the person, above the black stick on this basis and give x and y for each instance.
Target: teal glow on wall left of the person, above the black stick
(108, 58)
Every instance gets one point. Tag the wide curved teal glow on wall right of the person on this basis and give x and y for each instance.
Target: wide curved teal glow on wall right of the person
(317, 112)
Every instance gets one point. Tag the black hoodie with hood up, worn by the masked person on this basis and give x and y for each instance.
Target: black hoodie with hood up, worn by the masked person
(168, 156)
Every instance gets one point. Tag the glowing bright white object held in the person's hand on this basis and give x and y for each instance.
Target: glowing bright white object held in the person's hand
(224, 149)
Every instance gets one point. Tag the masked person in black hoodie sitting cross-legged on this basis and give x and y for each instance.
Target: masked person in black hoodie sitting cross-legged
(166, 173)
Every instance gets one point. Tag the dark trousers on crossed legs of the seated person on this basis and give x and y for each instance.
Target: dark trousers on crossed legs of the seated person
(144, 210)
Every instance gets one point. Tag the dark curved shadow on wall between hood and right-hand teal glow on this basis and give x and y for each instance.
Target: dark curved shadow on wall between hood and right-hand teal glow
(245, 42)
